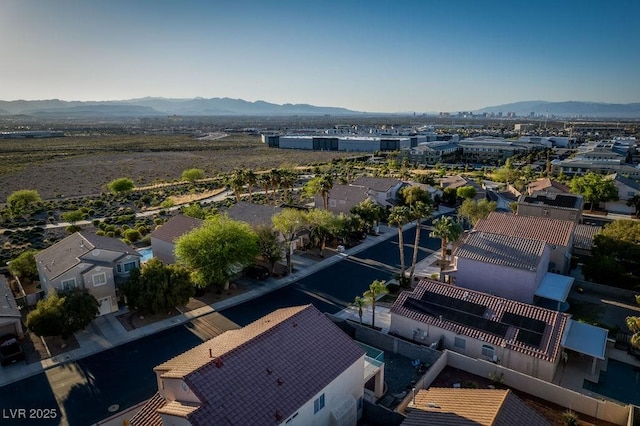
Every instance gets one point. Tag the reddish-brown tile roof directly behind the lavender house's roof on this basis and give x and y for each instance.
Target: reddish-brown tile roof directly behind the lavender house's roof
(551, 231)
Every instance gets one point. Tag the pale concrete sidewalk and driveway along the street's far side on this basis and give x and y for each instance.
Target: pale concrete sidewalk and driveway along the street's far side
(106, 332)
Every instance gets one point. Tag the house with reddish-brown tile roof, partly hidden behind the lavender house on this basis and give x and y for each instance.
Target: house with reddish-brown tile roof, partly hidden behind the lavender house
(557, 234)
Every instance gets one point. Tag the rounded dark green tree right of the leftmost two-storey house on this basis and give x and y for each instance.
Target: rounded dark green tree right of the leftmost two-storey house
(157, 287)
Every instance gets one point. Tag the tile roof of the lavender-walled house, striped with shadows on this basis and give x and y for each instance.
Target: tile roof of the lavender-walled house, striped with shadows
(502, 250)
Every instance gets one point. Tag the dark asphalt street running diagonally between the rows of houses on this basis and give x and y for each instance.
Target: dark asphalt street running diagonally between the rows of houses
(81, 392)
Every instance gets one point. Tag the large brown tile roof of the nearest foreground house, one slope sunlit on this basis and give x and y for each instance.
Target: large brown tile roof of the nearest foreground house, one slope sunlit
(273, 365)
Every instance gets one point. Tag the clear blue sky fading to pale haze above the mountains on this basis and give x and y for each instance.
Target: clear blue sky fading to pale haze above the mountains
(377, 56)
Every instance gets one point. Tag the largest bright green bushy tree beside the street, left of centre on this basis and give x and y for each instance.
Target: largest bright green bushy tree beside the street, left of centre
(217, 250)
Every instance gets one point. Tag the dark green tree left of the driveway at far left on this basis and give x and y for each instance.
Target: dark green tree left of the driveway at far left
(62, 314)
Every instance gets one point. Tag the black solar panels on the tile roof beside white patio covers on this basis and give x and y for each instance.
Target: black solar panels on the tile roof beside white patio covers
(469, 314)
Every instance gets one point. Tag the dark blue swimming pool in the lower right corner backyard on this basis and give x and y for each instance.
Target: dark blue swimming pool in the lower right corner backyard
(620, 382)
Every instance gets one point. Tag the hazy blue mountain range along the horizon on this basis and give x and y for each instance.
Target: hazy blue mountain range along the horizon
(149, 107)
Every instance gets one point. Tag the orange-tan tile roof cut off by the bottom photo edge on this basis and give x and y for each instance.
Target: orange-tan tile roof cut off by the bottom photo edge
(461, 407)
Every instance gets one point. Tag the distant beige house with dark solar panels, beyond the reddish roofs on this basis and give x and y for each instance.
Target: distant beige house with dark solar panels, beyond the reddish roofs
(552, 205)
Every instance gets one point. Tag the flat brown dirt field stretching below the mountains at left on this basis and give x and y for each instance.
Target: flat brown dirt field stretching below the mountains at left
(75, 166)
